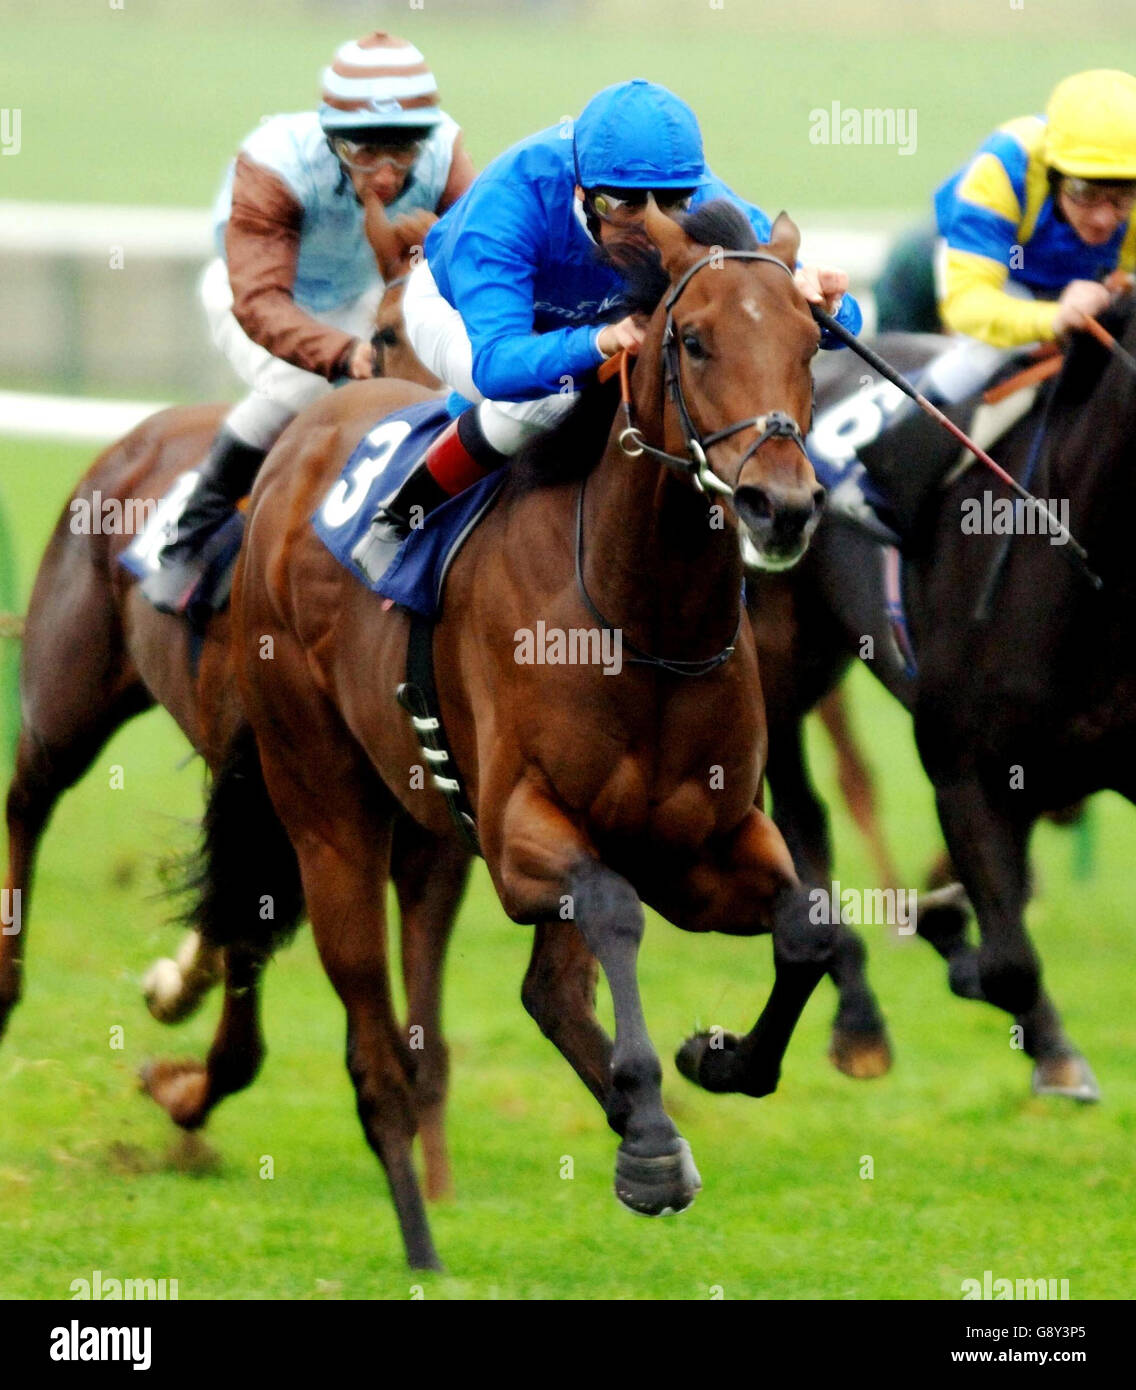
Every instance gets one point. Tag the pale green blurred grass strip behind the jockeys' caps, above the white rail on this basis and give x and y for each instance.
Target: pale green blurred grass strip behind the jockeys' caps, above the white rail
(156, 98)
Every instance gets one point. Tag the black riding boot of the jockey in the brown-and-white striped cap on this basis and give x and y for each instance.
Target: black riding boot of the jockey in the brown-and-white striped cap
(226, 476)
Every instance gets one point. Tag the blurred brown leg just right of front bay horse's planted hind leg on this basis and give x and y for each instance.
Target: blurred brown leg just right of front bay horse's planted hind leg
(430, 878)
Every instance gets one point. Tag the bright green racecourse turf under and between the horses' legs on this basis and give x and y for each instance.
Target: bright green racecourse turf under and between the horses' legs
(971, 1174)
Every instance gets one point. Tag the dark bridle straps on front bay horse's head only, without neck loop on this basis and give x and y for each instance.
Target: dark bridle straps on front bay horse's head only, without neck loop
(777, 425)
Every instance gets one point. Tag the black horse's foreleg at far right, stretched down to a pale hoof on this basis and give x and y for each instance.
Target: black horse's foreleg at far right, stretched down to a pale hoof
(989, 849)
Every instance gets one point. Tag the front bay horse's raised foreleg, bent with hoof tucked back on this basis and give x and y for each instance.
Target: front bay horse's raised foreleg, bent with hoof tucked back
(750, 886)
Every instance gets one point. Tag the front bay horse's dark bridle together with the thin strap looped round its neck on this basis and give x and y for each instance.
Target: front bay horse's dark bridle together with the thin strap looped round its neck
(775, 425)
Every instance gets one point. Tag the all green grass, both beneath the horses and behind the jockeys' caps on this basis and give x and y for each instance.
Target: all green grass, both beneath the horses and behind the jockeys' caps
(145, 105)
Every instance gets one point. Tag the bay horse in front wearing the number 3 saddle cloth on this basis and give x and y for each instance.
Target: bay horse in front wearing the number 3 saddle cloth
(593, 794)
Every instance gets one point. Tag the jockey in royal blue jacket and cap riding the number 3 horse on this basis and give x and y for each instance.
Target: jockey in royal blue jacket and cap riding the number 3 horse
(512, 304)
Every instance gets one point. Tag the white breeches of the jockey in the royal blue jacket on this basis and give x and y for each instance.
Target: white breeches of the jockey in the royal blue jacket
(440, 338)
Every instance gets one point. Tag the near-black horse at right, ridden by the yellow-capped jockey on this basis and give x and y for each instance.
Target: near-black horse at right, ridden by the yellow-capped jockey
(1023, 705)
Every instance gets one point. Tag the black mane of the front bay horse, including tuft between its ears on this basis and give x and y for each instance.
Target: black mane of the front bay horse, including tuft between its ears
(575, 445)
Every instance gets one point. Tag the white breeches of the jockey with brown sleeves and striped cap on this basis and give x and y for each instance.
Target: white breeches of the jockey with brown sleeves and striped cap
(279, 390)
